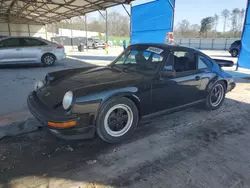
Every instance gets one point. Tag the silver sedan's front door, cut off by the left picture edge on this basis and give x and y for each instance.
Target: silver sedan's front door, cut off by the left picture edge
(10, 51)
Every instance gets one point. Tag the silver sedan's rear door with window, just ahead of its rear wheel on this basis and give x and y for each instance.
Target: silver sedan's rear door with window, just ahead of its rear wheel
(32, 49)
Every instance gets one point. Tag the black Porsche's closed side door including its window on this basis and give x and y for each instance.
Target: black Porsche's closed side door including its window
(183, 88)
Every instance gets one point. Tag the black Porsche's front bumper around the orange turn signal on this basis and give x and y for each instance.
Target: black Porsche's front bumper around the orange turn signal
(84, 128)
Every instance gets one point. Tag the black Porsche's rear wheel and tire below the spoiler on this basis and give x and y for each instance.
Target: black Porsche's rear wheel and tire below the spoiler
(211, 103)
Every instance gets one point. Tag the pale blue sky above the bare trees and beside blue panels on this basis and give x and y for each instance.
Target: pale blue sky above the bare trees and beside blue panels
(194, 10)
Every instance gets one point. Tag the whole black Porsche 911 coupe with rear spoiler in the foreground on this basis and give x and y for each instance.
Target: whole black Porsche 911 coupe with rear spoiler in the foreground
(144, 81)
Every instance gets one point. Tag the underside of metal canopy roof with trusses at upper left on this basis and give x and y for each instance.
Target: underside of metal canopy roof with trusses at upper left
(48, 11)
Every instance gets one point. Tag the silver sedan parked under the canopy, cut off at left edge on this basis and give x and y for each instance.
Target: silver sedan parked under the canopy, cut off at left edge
(25, 50)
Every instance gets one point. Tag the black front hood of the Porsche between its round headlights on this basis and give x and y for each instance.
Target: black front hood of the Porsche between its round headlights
(100, 78)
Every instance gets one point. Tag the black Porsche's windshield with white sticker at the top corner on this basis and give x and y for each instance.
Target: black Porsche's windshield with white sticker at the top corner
(141, 59)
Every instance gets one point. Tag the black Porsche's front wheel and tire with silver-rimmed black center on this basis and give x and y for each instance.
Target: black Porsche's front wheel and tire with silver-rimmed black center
(124, 115)
